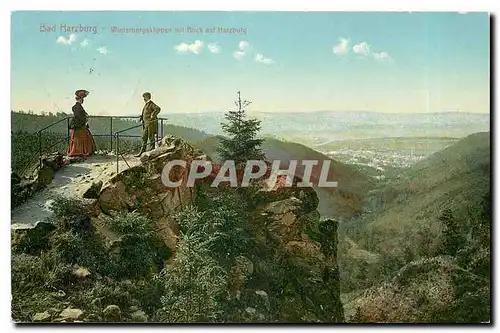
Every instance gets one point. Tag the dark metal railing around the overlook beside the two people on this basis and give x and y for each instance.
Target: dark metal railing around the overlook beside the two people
(112, 135)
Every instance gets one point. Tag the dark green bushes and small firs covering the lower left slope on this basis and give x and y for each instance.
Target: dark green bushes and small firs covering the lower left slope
(122, 274)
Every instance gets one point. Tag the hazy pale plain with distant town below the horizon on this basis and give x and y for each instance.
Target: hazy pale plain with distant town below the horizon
(379, 140)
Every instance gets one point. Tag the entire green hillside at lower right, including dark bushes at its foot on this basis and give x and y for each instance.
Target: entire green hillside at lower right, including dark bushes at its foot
(423, 254)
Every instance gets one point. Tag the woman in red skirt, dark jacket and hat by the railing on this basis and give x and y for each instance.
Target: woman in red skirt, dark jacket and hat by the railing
(81, 142)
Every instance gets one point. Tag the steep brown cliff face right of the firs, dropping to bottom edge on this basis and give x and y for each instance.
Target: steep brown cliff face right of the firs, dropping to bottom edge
(308, 246)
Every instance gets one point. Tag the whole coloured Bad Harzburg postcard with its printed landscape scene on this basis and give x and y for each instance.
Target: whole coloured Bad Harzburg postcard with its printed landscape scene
(250, 167)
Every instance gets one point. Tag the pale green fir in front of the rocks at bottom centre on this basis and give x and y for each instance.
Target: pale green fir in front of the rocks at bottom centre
(195, 283)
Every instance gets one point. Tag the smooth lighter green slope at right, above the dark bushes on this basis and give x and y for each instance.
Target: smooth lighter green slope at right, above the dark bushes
(405, 222)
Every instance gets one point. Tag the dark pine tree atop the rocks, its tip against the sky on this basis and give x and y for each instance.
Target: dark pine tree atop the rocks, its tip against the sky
(241, 143)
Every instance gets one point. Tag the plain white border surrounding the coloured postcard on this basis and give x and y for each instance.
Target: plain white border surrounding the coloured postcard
(309, 5)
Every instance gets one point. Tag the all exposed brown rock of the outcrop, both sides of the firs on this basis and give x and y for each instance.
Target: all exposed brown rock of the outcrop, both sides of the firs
(285, 223)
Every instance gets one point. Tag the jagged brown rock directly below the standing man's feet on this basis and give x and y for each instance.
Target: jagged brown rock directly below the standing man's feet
(141, 189)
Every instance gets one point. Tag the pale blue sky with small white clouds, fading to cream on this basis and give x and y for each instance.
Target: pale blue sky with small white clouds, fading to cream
(395, 62)
